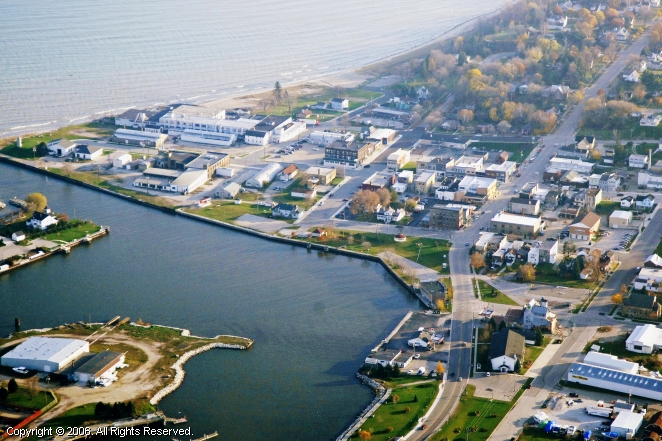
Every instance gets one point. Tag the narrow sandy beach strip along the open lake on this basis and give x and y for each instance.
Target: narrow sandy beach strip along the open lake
(350, 78)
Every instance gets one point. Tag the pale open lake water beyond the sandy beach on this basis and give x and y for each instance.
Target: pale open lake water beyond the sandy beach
(63, 63)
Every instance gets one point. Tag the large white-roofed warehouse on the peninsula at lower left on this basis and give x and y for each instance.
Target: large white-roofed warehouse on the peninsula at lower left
(45, 354)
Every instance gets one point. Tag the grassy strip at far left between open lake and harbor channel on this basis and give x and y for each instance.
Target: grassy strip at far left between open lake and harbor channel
(10, 148)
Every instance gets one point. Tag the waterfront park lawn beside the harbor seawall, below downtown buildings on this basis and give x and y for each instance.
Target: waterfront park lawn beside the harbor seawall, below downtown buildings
(431, 250)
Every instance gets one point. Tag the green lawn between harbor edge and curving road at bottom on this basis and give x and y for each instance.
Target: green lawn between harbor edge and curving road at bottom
(393, 419)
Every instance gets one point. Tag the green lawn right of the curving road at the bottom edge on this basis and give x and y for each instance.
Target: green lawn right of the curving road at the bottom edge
(480, 415)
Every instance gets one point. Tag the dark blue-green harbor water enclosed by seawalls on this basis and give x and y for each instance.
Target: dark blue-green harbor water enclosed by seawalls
(313, 317)
